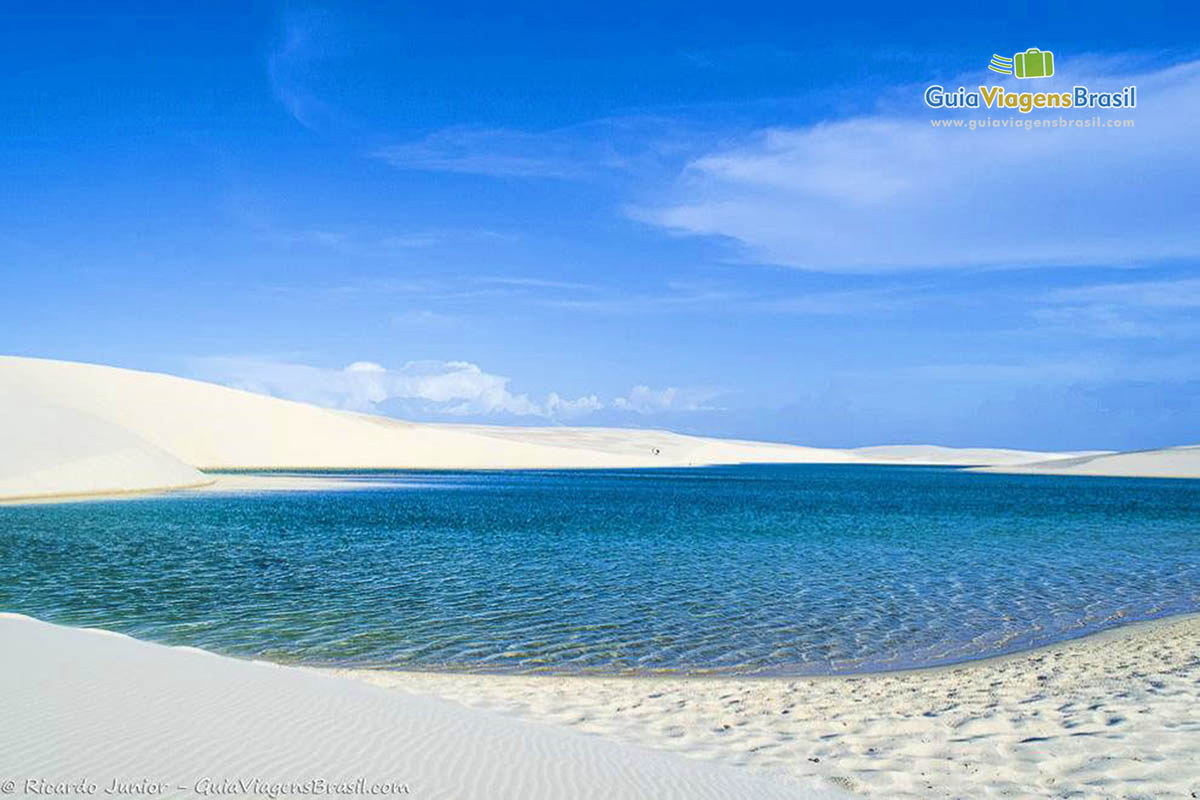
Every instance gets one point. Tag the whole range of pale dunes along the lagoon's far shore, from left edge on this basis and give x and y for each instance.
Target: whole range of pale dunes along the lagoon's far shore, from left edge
(79, 429)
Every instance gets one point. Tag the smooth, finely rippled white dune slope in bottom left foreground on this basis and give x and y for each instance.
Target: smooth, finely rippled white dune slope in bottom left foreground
(89, 706)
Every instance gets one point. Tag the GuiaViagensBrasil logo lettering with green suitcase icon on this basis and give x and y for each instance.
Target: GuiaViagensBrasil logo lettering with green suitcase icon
(1033, 63)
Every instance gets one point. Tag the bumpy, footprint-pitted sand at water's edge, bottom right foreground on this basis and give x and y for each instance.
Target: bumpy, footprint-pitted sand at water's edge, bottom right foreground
(1115, 715)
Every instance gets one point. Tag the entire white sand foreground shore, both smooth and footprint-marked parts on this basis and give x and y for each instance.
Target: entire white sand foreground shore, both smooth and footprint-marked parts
(1107, 717)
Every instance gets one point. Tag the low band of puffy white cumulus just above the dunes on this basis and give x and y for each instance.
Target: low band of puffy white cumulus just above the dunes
(457, 389)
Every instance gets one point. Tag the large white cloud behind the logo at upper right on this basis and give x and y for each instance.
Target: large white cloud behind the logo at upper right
(891, 193)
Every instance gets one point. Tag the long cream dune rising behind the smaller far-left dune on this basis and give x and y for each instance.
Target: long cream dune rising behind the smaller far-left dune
(217, 428)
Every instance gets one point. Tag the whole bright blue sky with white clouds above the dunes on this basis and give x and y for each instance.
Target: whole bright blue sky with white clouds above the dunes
(733, 219)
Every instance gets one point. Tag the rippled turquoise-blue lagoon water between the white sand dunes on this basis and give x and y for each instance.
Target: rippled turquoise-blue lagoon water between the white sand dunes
(764, 570)
